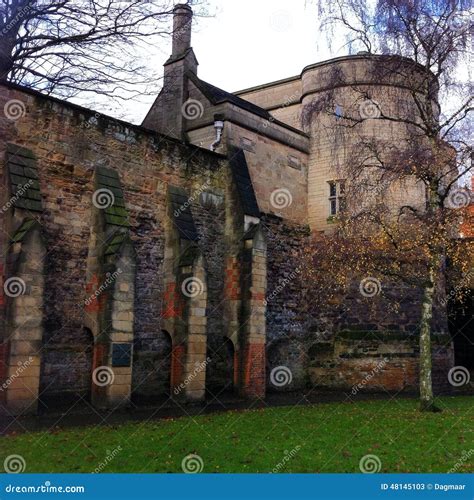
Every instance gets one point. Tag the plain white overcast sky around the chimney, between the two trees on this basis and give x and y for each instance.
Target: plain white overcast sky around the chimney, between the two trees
(249, 42)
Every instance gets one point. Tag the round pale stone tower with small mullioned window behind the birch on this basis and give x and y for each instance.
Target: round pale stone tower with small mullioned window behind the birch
(376, 91)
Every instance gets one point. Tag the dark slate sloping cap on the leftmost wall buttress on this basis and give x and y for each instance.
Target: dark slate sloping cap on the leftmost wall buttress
(23, 175)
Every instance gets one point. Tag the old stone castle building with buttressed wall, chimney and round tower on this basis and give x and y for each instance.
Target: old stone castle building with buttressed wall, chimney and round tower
(161, 260)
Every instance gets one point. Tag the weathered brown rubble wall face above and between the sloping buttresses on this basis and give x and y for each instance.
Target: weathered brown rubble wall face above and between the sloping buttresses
(70, 144)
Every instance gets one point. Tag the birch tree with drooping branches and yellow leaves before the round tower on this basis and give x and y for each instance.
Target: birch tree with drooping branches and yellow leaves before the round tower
(425, 45)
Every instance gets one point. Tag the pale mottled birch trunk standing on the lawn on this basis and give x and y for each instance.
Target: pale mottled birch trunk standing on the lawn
(426, 385)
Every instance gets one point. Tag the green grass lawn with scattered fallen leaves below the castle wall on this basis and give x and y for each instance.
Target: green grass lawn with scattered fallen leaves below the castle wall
(329, 437)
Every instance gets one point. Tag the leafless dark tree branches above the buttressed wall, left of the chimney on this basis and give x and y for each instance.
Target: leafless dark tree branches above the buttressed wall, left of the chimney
(67, 47)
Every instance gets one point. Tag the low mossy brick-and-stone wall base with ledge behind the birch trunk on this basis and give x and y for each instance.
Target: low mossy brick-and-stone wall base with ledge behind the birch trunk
(361, 361)
